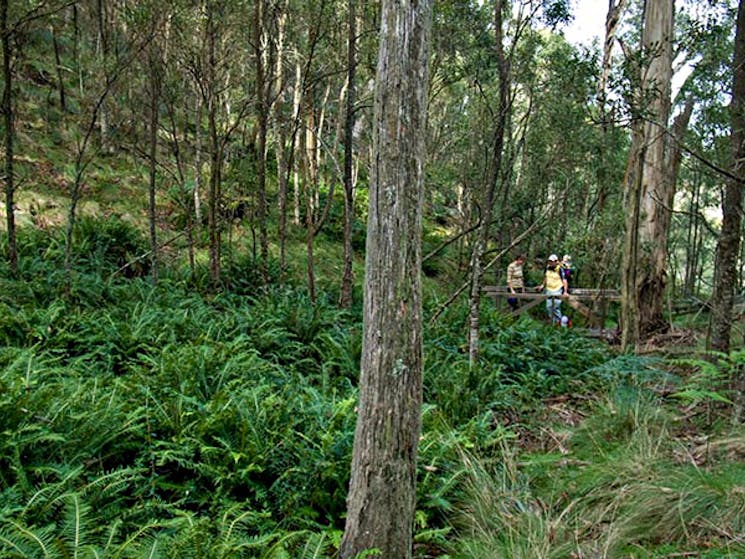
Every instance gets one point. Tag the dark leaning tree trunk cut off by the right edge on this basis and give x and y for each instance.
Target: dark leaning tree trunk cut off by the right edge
(728, 246)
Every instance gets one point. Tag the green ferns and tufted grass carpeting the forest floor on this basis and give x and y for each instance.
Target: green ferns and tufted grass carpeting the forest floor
(178, 421)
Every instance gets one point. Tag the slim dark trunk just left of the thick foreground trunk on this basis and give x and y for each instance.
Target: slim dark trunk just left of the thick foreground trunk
(347, 276)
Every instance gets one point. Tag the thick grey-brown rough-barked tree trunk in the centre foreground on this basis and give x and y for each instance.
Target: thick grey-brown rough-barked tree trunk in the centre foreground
(382, 493)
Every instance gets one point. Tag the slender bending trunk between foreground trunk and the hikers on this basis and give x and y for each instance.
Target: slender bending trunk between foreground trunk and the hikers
(492, 178)
